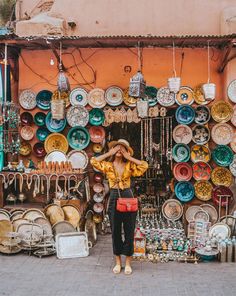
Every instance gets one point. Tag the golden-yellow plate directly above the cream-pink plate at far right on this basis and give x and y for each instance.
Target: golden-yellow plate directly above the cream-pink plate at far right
(221, 111)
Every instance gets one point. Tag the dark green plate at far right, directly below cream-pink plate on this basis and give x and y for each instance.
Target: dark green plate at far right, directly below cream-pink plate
(223, 155)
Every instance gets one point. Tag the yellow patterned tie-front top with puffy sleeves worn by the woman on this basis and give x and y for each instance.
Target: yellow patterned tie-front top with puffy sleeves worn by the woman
(131, 170)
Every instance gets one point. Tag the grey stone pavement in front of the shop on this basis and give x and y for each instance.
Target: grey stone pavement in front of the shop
(23, 275)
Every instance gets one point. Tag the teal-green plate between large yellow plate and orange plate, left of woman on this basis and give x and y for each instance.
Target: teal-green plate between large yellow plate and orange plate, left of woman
(78, 138)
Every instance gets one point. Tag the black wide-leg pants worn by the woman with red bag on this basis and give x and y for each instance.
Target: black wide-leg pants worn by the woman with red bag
(119, 219)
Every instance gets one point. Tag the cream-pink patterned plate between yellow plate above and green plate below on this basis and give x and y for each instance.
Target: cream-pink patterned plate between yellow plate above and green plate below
(222, 133)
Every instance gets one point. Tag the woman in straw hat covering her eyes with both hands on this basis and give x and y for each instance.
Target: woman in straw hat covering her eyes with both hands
(119, 171)
